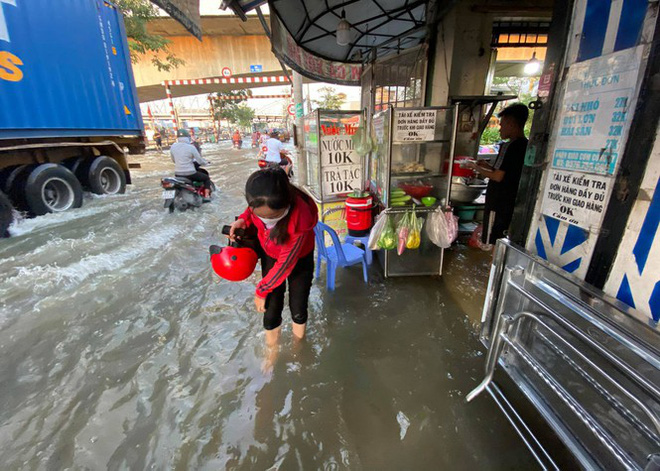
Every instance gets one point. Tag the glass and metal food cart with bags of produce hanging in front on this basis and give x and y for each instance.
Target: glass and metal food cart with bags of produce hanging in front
(413, 146)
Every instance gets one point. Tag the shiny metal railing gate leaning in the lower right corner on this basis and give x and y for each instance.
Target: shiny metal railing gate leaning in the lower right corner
(588, 364)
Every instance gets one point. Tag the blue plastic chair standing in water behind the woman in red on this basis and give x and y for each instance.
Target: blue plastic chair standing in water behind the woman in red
(336, 255)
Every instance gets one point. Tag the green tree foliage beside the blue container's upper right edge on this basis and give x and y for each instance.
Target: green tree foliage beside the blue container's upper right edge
(137, 14)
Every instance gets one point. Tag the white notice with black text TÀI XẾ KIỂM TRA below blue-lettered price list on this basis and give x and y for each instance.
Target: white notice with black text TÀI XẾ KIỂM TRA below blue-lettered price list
(576, 197)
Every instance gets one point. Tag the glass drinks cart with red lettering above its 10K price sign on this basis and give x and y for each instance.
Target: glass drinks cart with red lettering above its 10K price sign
(334, 168)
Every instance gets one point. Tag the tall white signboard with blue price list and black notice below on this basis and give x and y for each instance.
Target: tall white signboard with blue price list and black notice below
(592, 130)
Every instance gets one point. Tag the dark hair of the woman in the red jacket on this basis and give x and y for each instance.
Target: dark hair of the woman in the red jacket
(271, 187)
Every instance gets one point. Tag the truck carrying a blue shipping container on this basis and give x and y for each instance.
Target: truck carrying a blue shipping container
(68, 103)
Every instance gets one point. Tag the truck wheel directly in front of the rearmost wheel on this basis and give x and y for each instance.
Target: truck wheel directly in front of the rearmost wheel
(52, 188)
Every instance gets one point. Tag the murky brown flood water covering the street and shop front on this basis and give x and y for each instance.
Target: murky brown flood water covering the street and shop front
(120, 349)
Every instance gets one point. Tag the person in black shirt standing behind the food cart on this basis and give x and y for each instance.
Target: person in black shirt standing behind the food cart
(504, 173)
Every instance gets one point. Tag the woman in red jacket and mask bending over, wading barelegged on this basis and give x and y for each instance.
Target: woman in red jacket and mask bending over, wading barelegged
(284, 217)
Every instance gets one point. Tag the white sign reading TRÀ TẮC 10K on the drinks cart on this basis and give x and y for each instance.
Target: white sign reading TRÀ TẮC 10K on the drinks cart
(340, 164)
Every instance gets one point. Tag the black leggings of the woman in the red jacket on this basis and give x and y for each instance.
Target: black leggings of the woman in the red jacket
(300, 283)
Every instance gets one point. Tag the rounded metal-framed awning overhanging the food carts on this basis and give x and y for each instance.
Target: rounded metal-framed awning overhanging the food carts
(304, 33)
